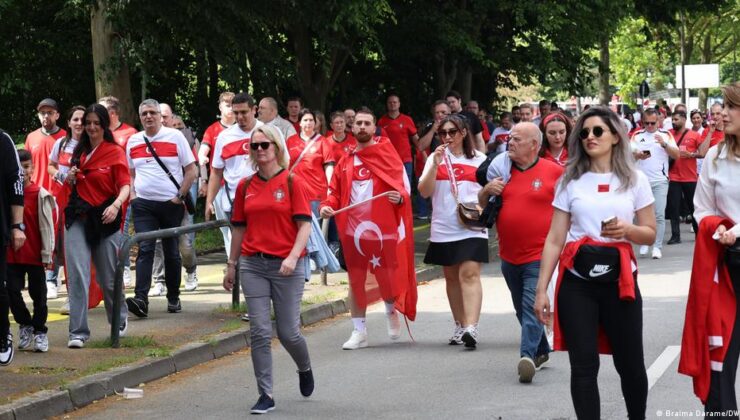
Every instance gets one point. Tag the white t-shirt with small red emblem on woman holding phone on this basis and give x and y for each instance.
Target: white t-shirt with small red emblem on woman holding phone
(594, 197)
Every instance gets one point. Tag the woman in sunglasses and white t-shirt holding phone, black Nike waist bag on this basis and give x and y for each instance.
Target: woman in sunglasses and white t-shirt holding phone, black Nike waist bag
(590, 240)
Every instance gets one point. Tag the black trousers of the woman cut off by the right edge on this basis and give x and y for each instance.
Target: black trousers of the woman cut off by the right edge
(722, 397)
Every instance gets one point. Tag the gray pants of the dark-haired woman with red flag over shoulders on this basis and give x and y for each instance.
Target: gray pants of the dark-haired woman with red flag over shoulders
(77, 257)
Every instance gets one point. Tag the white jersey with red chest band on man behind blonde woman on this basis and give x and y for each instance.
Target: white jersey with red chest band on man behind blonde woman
(232, 155)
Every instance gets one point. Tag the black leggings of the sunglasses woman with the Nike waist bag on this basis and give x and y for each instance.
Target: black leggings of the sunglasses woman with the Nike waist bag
(583, 306)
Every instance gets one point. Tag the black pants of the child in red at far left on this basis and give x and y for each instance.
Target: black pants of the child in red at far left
(36, 288)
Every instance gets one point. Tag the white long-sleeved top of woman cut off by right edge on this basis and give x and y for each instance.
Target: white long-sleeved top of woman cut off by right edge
(718, 189)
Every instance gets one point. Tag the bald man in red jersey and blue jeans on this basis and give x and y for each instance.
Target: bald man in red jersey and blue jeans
(526, 185)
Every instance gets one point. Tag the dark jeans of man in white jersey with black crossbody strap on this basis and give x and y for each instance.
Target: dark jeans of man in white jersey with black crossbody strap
(148, 216)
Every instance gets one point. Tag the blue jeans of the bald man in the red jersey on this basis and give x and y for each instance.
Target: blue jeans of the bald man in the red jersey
(522, 283)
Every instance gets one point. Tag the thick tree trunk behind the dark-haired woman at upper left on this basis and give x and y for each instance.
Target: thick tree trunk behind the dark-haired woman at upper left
(111, 71)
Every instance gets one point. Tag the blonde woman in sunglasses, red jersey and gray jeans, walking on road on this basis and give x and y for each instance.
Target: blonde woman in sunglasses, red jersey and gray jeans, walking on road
(269, 233)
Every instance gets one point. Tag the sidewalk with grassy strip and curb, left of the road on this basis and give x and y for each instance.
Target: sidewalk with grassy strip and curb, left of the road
(41, 384)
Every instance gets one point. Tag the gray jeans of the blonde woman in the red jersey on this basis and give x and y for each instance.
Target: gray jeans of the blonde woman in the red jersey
(262, 283)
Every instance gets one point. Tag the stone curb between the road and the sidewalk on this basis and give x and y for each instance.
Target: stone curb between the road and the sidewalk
(86, 390)
